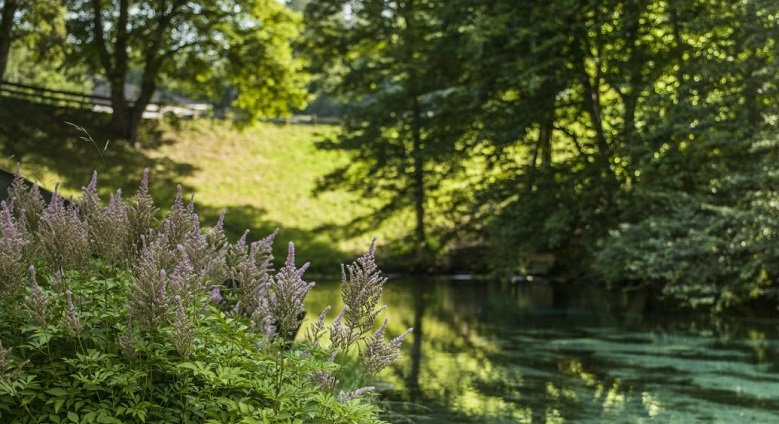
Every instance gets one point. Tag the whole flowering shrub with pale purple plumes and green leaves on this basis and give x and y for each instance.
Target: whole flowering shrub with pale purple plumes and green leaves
(111, 315)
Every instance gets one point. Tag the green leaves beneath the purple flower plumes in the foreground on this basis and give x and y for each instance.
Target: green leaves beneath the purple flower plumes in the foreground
(233, 372)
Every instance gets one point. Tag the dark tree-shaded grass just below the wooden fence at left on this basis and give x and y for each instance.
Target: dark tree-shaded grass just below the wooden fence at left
(44, 137)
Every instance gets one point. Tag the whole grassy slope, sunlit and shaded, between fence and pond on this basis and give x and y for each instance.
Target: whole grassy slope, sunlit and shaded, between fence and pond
(263, 176)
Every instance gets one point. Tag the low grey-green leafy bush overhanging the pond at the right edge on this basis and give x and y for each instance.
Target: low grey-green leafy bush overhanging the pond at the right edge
(715, 249)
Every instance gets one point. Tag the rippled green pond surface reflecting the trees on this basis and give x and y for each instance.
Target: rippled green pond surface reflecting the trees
(532, 353)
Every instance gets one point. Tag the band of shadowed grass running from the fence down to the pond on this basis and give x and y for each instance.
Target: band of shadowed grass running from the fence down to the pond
(40, 136)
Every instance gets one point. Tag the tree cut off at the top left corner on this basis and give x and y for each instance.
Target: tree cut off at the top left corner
(38, 23)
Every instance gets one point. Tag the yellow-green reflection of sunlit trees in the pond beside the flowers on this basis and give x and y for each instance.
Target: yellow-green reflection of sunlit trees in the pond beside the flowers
(450, 362)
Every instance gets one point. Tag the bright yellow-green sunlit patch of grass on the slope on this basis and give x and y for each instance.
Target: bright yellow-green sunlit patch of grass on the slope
(265, 177)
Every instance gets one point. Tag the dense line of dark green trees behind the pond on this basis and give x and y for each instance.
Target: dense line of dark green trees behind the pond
(634, 138)
